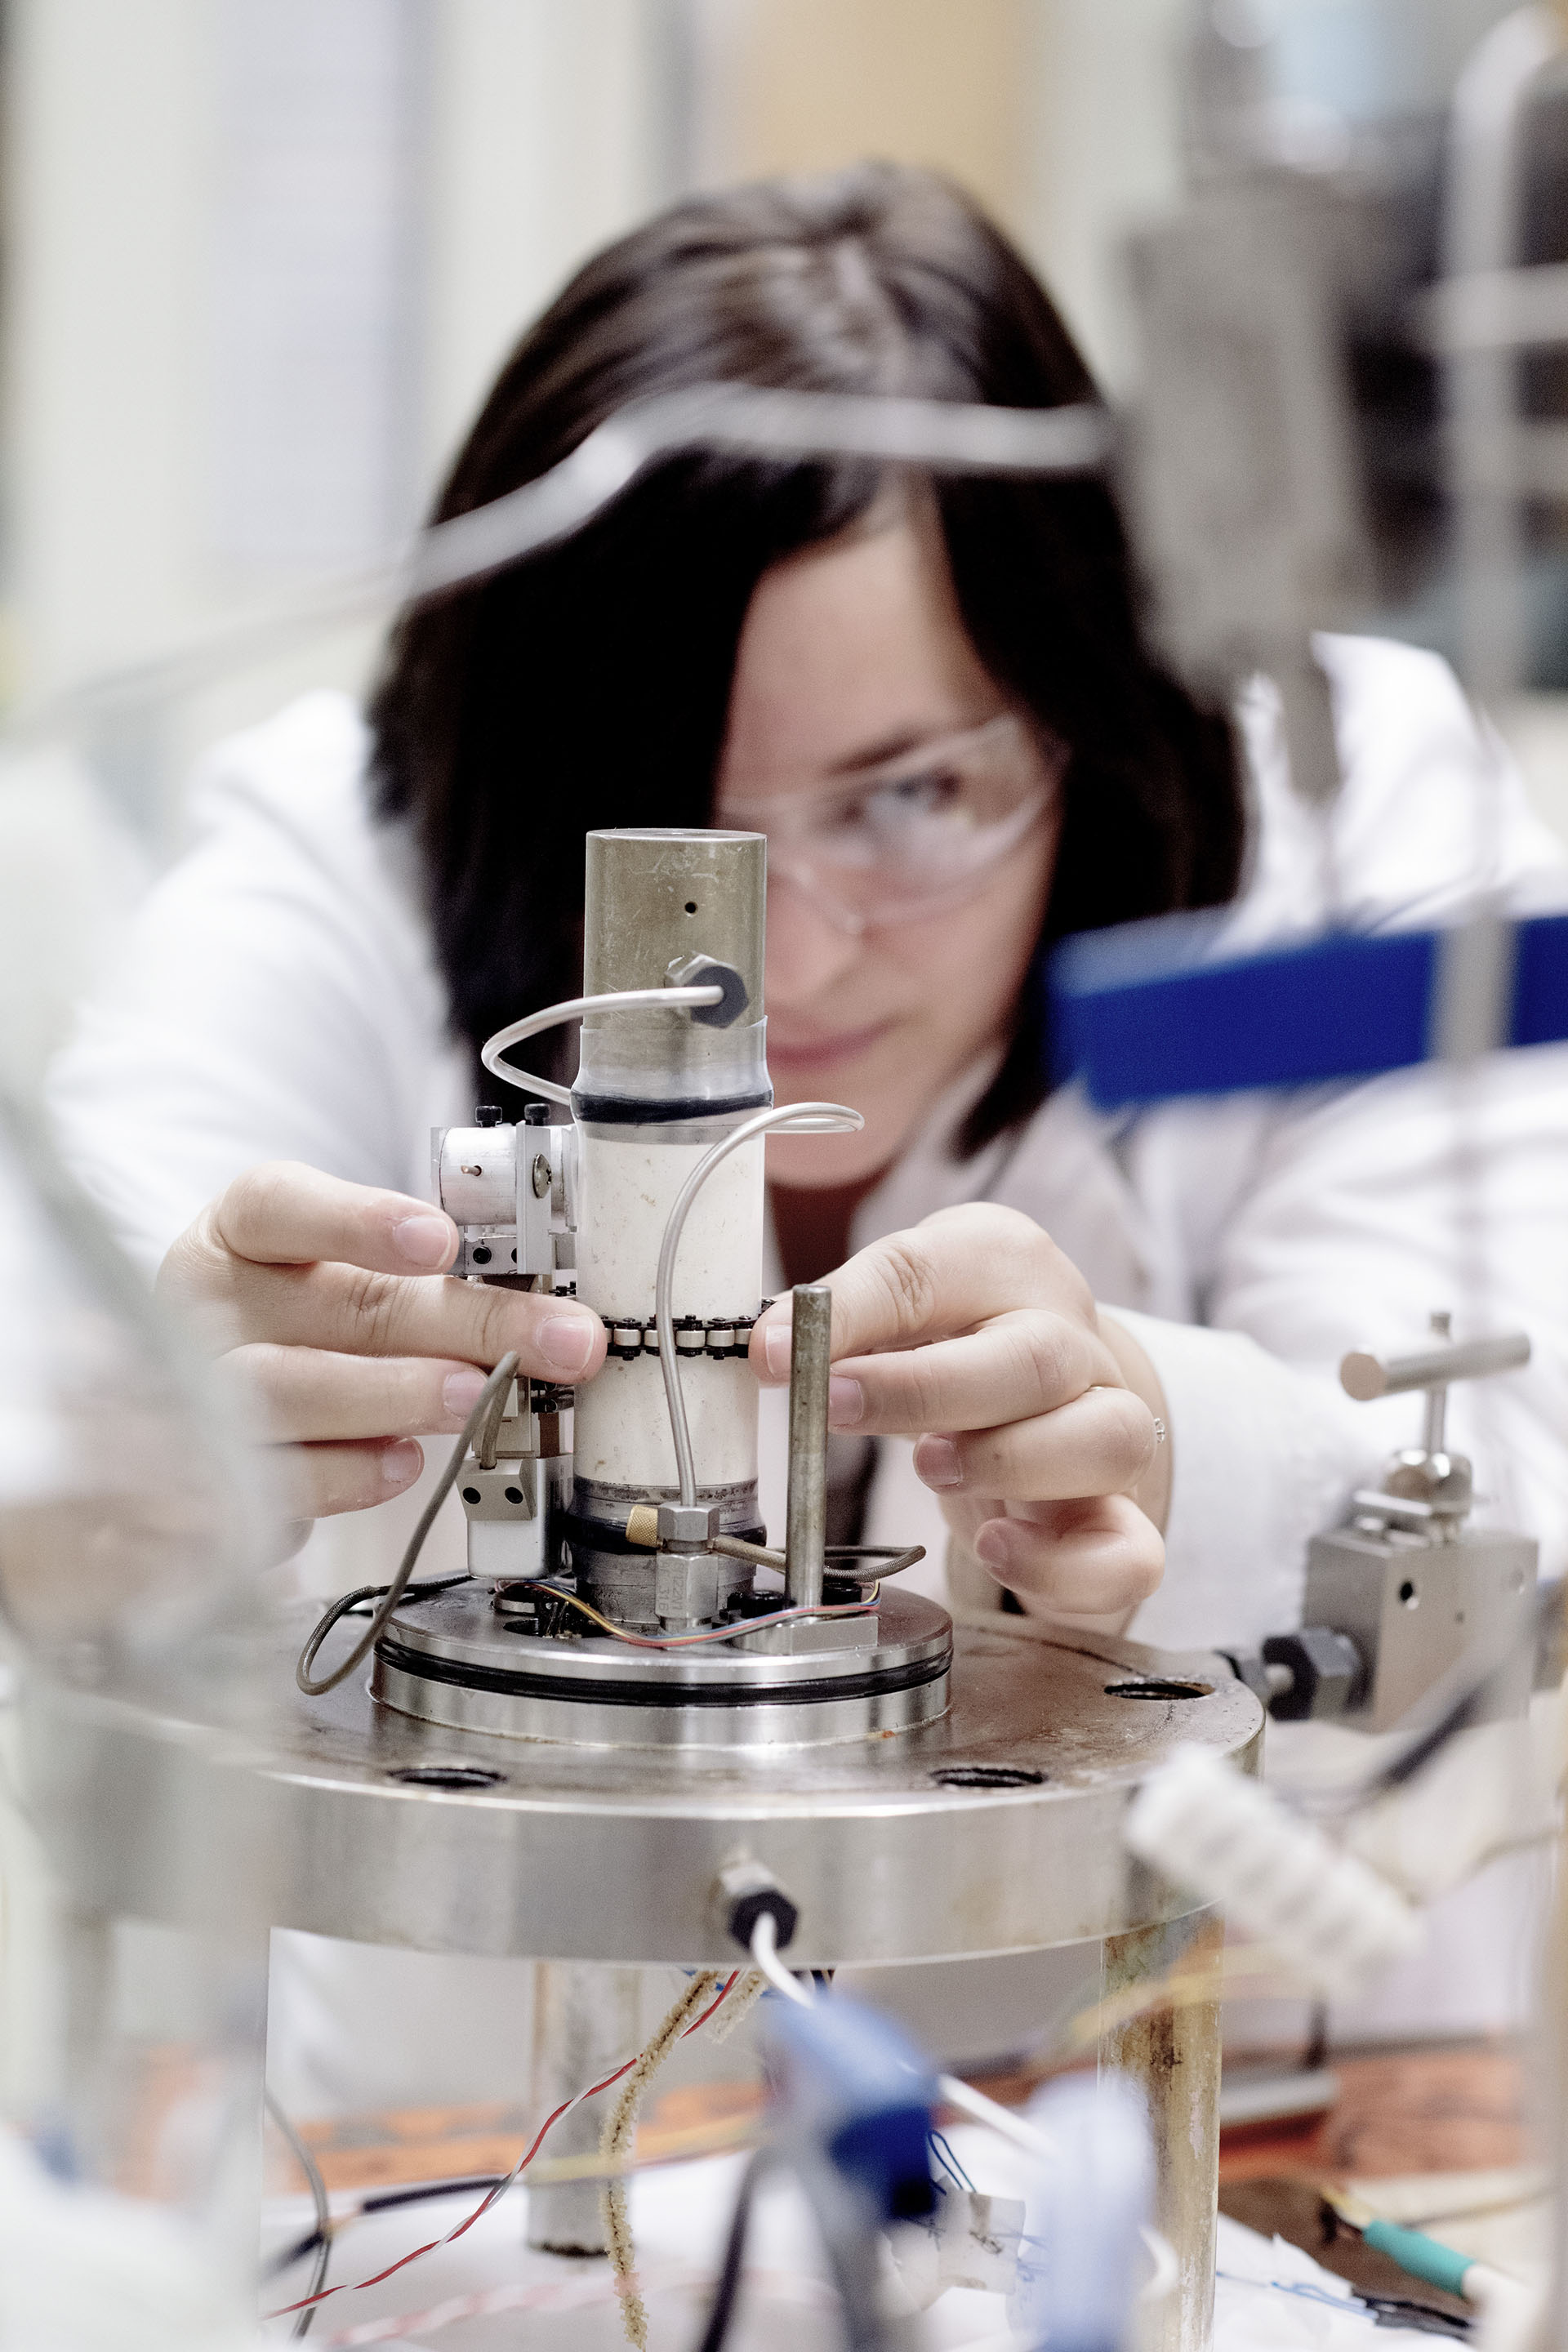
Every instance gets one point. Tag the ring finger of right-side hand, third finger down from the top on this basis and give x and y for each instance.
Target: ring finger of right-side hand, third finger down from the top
(1097, 1445)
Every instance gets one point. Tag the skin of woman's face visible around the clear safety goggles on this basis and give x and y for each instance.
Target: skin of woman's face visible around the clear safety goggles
(852, 655)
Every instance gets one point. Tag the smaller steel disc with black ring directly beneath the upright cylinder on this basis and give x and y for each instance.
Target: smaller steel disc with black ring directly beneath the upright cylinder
(453, 1659)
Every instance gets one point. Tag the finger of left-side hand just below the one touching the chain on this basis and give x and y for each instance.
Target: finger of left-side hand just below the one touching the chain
(314, 1394)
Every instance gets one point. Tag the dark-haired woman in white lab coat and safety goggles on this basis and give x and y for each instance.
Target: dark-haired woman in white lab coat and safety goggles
(1073, 1330)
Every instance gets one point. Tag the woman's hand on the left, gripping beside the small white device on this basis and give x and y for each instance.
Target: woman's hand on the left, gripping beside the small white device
(328, 1314)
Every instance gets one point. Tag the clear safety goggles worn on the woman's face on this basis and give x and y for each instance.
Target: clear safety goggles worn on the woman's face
(916, 834)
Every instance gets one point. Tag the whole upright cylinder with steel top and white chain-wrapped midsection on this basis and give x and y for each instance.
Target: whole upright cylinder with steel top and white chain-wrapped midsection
(655, 1093)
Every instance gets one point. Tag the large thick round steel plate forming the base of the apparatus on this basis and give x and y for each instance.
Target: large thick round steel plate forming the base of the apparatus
(991, 1831)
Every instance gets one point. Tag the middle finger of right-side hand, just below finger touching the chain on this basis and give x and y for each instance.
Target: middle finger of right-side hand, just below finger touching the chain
(1019, 1365)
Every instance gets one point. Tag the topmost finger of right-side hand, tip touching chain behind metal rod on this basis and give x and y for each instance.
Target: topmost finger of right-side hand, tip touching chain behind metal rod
(939, 1278)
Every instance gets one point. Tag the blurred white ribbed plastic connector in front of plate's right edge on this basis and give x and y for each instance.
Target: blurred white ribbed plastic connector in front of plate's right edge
(1334, 1920)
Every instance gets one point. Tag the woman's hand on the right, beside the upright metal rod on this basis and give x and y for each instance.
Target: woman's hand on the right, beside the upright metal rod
(1036, 1417)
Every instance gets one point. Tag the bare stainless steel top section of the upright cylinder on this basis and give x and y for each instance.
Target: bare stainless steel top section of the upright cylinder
(655, 900)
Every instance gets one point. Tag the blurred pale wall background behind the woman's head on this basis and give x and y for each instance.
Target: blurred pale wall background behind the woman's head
(260, 260)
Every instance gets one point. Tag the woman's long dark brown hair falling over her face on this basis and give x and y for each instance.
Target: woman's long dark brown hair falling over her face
(589, 686)
